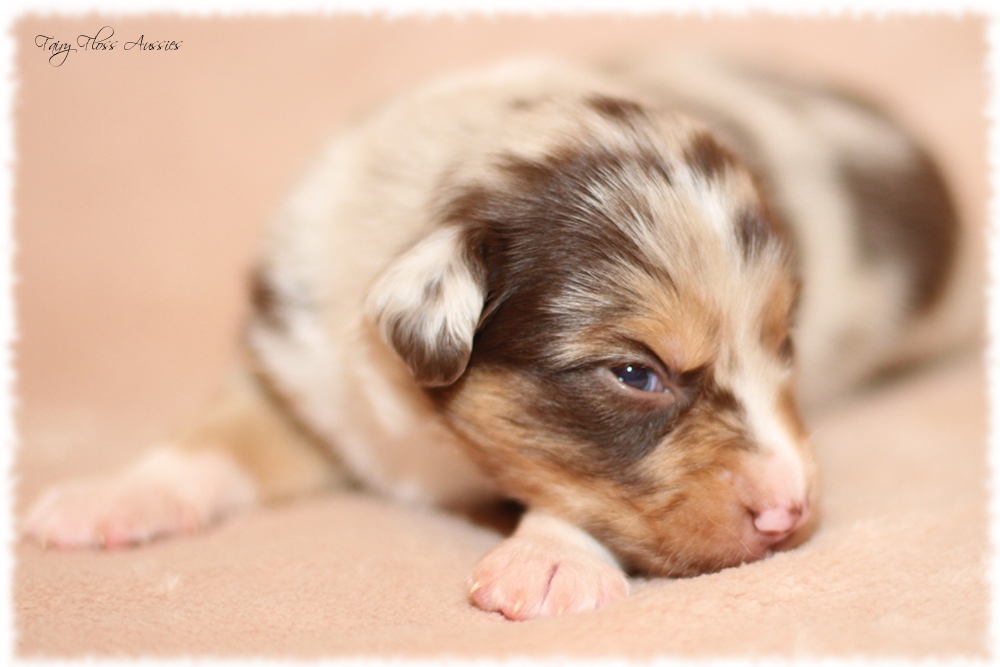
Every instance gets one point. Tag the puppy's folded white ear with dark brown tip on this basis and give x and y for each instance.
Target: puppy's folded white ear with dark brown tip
(427, 304)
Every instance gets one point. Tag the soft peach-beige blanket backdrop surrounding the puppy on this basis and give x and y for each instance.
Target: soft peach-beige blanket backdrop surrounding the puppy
(142, 182)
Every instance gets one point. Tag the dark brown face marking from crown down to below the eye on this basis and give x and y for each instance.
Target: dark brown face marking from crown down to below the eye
(554, 238)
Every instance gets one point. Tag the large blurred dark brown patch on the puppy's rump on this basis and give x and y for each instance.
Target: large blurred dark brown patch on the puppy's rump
(906, 213)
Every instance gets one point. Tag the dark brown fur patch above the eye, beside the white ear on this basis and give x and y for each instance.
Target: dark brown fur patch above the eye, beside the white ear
(546, 238)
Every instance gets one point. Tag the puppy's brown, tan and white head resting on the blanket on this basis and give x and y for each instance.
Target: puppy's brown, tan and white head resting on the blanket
(604, 318)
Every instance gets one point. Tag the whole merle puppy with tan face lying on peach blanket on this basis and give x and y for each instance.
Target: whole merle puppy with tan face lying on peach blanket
(602, 293)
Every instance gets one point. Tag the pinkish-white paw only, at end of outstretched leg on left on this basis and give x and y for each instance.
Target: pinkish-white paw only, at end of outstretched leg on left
(167, 492)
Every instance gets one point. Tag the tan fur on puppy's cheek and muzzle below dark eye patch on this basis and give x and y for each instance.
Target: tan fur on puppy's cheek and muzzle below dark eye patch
(675, 513)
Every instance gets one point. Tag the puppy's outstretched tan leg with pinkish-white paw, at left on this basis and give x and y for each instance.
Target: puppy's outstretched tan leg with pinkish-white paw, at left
(240, 451)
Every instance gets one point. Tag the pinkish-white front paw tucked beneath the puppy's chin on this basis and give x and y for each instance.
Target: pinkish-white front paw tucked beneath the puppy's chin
(546, 568)
